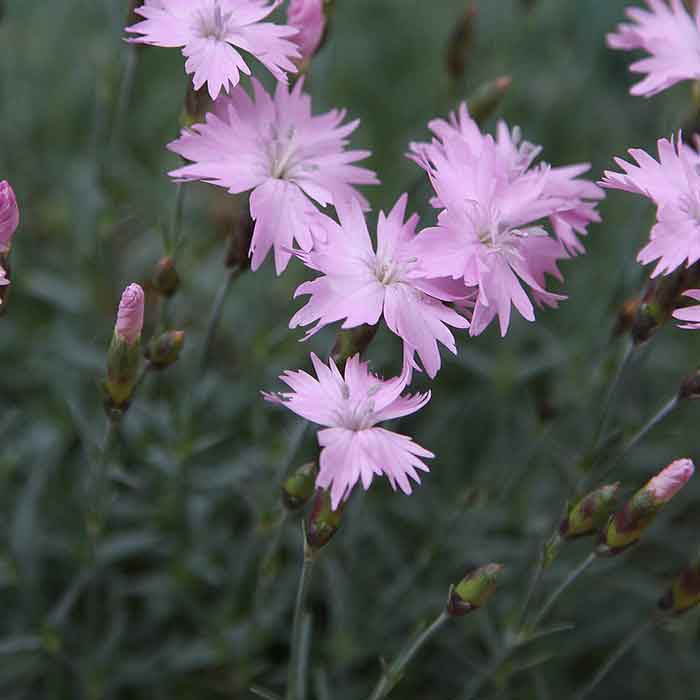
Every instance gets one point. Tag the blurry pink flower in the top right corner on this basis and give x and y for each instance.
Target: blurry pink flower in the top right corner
(670, 36)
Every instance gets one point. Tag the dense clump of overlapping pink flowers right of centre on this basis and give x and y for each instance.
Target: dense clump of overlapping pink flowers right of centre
(493, 200)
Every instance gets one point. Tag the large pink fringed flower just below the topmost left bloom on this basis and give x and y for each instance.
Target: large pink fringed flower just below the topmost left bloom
(287, 157)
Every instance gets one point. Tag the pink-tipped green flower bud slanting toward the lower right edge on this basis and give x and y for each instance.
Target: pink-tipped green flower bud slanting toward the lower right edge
(626, 527)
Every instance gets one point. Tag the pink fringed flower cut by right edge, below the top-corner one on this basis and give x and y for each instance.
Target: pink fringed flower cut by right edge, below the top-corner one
(673, 185)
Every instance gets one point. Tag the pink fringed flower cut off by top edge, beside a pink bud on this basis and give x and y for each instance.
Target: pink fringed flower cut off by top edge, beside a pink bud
(212, 31)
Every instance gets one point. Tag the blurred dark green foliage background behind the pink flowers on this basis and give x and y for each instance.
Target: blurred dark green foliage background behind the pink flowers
(174, 606)
